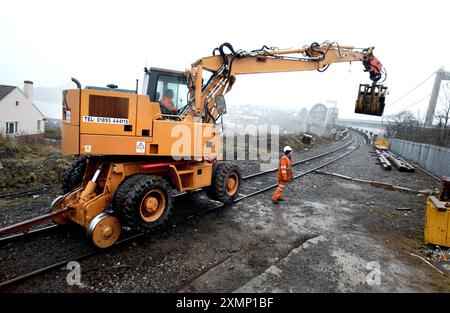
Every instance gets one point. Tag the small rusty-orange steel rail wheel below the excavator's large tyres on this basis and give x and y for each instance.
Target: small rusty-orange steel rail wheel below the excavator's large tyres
(104, 230)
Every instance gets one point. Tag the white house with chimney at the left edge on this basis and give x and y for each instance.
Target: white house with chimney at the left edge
(18, 115)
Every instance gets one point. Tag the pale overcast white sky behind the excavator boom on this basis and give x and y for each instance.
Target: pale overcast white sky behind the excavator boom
(102, 42)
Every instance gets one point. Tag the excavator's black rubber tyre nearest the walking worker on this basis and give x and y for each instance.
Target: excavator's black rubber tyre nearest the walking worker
(218, 190)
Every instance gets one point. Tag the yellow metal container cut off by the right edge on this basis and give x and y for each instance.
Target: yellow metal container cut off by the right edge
(437, 222)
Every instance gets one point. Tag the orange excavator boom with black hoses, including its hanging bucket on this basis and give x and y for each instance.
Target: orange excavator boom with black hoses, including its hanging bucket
(226, 66)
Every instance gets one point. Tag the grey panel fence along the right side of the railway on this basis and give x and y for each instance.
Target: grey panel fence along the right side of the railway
(433, 158)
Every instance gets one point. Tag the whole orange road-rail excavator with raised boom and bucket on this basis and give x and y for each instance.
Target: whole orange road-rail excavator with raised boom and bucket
(136, 148)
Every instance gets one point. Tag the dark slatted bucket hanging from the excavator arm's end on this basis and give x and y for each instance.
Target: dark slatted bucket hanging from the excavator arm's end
(371, 99)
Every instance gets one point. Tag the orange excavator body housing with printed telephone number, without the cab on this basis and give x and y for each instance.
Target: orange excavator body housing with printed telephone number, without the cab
(129, 124)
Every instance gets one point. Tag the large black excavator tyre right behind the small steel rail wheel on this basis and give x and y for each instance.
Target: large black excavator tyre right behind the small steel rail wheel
(129, 196)
